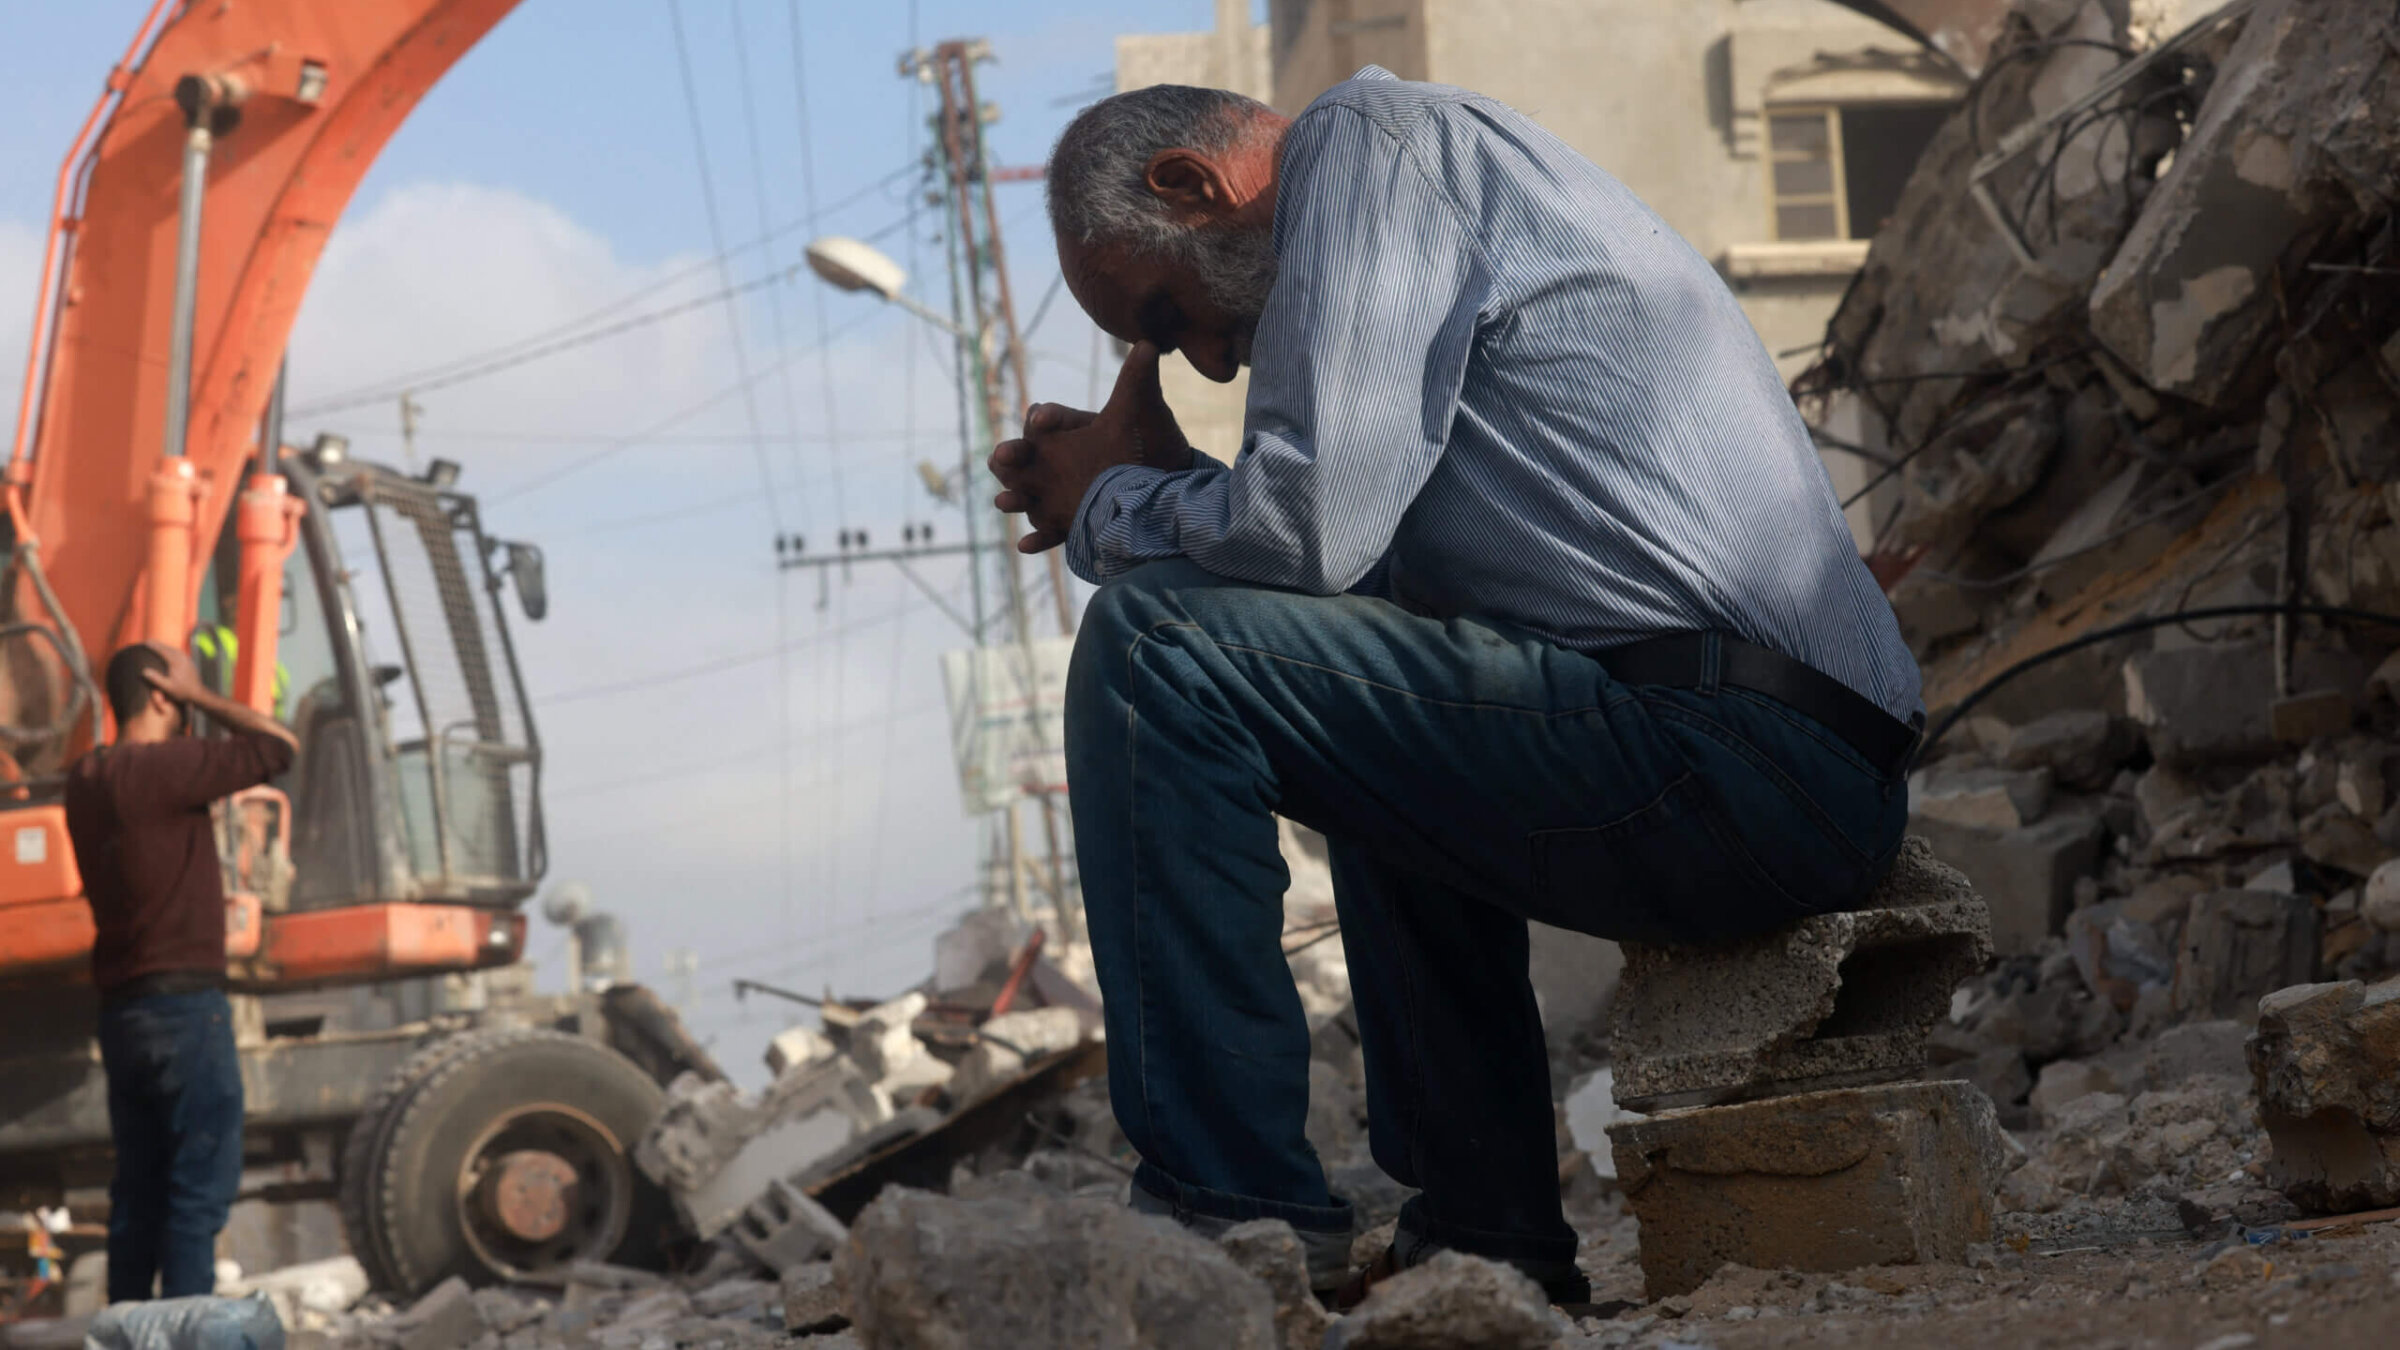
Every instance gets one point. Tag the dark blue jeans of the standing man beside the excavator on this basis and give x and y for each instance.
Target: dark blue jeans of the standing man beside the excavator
(176, 1116)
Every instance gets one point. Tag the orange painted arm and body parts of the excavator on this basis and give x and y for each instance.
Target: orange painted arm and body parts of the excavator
(121, 527)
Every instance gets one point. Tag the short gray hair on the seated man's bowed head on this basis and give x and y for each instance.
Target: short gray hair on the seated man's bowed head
(1100, 169)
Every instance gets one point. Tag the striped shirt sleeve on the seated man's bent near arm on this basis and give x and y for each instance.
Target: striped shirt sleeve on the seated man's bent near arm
(1355, 378)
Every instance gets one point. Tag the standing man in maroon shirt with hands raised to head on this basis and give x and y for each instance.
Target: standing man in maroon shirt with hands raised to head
(138, 813)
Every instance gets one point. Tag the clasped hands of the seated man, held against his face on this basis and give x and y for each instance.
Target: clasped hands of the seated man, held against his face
(1048, 470)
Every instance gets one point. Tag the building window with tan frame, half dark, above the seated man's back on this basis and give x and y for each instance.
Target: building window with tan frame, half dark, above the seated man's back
(1835, 174)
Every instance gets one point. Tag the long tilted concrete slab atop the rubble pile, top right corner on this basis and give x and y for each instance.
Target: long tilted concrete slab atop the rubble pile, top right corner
(2192, 292)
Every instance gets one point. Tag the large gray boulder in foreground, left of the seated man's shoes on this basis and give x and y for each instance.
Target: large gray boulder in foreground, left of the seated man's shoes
(937, 1274)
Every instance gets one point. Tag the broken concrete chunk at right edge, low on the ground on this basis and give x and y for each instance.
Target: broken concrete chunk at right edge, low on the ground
(2327, 1063)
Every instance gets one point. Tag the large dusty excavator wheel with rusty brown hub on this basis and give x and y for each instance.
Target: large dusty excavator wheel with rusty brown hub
(503, 1157)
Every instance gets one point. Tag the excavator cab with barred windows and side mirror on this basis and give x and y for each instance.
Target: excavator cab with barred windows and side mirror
(419, 775)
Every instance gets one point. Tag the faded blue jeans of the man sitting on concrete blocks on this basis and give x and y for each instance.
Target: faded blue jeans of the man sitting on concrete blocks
(1468, 777)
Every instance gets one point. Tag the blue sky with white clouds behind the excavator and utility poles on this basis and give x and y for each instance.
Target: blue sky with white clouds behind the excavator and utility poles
(556, 172)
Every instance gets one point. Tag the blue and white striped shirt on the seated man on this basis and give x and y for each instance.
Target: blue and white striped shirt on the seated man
(1489, 381)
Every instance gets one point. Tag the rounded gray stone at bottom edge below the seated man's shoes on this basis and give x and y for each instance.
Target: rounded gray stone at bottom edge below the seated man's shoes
(1446, 1303)
